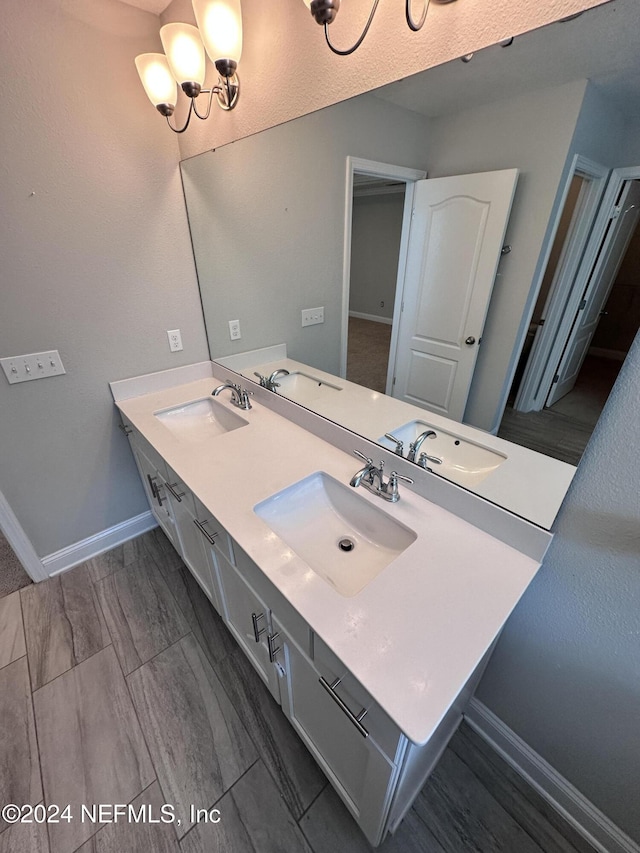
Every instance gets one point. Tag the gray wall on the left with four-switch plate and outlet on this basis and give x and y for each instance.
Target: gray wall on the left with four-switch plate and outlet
(96, 264)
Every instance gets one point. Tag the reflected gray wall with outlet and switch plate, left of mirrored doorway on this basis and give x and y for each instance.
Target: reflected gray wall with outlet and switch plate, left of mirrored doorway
(267, 223)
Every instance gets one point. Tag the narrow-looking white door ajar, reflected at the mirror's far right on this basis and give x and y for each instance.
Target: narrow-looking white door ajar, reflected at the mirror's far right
(600, 283)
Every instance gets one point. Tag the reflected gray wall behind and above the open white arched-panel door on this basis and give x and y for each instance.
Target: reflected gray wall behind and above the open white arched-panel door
(531, 133)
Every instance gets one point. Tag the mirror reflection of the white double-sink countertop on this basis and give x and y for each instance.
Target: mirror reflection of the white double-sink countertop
(528, 483)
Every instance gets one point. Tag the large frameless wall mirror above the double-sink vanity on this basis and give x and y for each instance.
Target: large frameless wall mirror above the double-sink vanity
(316, 213)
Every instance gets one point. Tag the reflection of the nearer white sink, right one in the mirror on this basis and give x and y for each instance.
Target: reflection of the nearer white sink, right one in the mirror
(463, 461)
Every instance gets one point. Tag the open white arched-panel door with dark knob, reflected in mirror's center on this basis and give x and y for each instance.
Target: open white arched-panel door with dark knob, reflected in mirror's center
(457, 232)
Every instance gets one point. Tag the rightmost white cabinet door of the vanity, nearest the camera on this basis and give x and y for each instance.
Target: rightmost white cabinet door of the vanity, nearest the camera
(361, 774)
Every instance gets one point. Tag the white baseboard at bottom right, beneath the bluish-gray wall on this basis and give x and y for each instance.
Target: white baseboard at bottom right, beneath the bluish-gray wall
(588, 820)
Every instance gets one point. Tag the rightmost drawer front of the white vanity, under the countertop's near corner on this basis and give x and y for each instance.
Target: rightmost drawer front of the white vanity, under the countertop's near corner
(379, 725)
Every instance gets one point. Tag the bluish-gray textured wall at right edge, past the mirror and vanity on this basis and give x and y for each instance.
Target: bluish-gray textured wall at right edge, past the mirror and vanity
(566, 673)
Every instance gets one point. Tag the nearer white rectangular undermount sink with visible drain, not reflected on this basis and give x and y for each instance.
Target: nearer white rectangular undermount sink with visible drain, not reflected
(344, 538)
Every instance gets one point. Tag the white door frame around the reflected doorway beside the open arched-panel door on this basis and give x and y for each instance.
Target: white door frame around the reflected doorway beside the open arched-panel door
(393, 173)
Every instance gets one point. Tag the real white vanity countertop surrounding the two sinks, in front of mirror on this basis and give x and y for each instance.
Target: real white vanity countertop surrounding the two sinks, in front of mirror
(416, 632)
